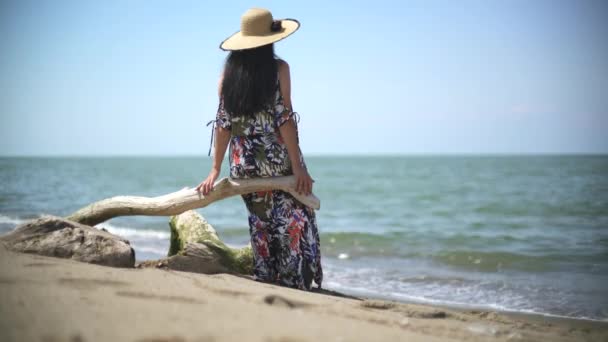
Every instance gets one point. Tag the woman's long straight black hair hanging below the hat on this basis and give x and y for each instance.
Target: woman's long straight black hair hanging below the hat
(250, 78)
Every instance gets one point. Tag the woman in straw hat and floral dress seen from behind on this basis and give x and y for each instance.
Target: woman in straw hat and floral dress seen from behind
(255, 117)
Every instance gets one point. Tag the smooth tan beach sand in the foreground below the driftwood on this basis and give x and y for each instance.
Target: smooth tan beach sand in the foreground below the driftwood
(51, 299)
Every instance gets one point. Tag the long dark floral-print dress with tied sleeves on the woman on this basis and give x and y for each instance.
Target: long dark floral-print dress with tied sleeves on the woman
(283, 231)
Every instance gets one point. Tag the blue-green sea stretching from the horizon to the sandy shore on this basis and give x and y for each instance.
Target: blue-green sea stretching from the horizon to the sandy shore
(510, 233)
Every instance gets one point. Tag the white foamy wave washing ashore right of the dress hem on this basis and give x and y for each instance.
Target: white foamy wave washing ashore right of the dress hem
(460, 291)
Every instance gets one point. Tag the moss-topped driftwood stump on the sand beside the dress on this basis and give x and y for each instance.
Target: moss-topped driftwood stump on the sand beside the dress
(196, 247)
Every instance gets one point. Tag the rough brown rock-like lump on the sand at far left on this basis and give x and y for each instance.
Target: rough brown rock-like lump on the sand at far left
(57, 237)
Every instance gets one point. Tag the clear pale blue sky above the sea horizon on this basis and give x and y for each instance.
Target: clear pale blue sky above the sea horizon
(368, 77)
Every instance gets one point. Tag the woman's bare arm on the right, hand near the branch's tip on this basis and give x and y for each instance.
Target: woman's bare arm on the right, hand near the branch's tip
(290, 135)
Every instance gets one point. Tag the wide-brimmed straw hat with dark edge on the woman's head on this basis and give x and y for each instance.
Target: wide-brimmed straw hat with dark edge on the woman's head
(257, 29)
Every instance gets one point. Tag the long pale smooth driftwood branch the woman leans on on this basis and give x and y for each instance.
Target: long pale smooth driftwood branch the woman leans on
(180, 201)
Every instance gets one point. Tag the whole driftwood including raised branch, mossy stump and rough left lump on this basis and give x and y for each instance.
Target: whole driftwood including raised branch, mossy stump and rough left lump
(194, 245)
